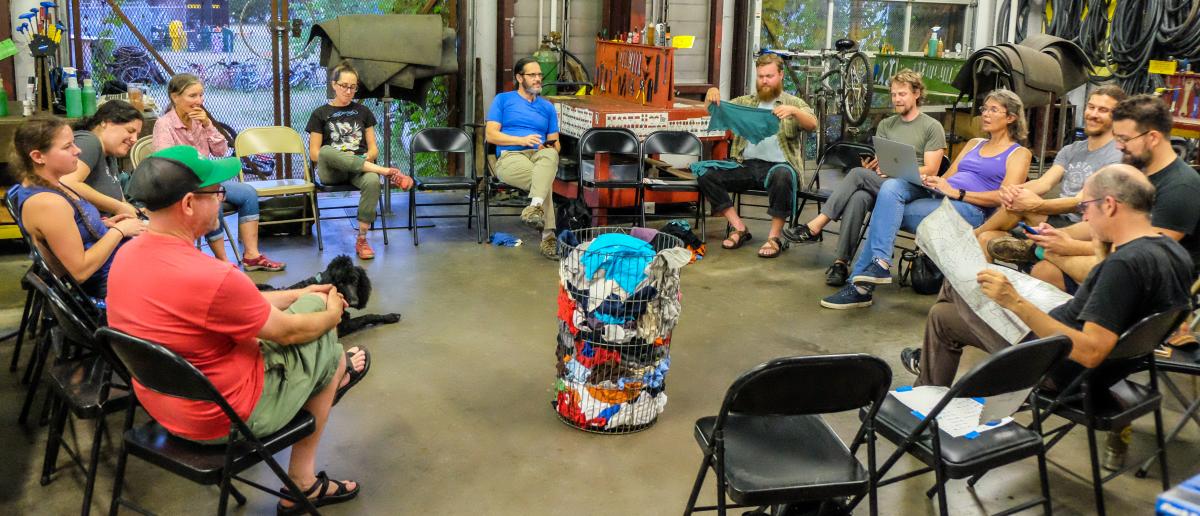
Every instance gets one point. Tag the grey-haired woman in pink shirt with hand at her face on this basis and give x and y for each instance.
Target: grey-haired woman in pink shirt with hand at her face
(187, 123)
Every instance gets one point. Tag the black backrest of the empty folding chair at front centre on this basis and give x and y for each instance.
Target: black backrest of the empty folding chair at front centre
(800, 386)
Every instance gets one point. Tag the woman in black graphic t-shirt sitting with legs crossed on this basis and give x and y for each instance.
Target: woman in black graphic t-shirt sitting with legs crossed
(343, 142)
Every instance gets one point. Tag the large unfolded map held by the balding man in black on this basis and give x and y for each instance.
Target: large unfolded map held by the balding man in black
(950, 242)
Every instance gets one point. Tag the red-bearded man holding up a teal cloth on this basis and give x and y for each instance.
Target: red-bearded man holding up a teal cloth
(757, 161)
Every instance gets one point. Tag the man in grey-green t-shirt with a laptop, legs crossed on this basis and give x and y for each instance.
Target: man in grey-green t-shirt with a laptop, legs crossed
(855, 195)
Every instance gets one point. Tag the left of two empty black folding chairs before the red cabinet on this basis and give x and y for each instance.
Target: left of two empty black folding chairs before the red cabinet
(620, 145)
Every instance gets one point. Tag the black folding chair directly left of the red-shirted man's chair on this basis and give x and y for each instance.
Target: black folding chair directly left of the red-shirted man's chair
(85, 388)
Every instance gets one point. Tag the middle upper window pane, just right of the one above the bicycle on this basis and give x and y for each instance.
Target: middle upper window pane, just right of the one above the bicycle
(871, 23)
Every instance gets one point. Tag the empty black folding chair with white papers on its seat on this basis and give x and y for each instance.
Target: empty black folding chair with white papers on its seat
(1012, 370)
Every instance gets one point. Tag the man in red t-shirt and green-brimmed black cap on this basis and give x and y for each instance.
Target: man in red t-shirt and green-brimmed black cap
(269, 355)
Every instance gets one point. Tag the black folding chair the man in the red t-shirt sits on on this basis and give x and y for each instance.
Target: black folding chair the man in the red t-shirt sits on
(163, 371)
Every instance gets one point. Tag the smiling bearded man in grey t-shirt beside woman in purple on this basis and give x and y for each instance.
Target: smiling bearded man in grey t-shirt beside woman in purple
(1073, 165)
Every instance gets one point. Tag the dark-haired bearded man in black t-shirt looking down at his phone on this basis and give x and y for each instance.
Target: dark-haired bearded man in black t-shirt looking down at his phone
(1142, 128)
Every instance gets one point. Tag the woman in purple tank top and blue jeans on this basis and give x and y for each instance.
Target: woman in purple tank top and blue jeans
(973, 184)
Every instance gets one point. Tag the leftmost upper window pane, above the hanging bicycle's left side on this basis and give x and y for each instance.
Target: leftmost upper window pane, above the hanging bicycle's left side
(794, 25)
